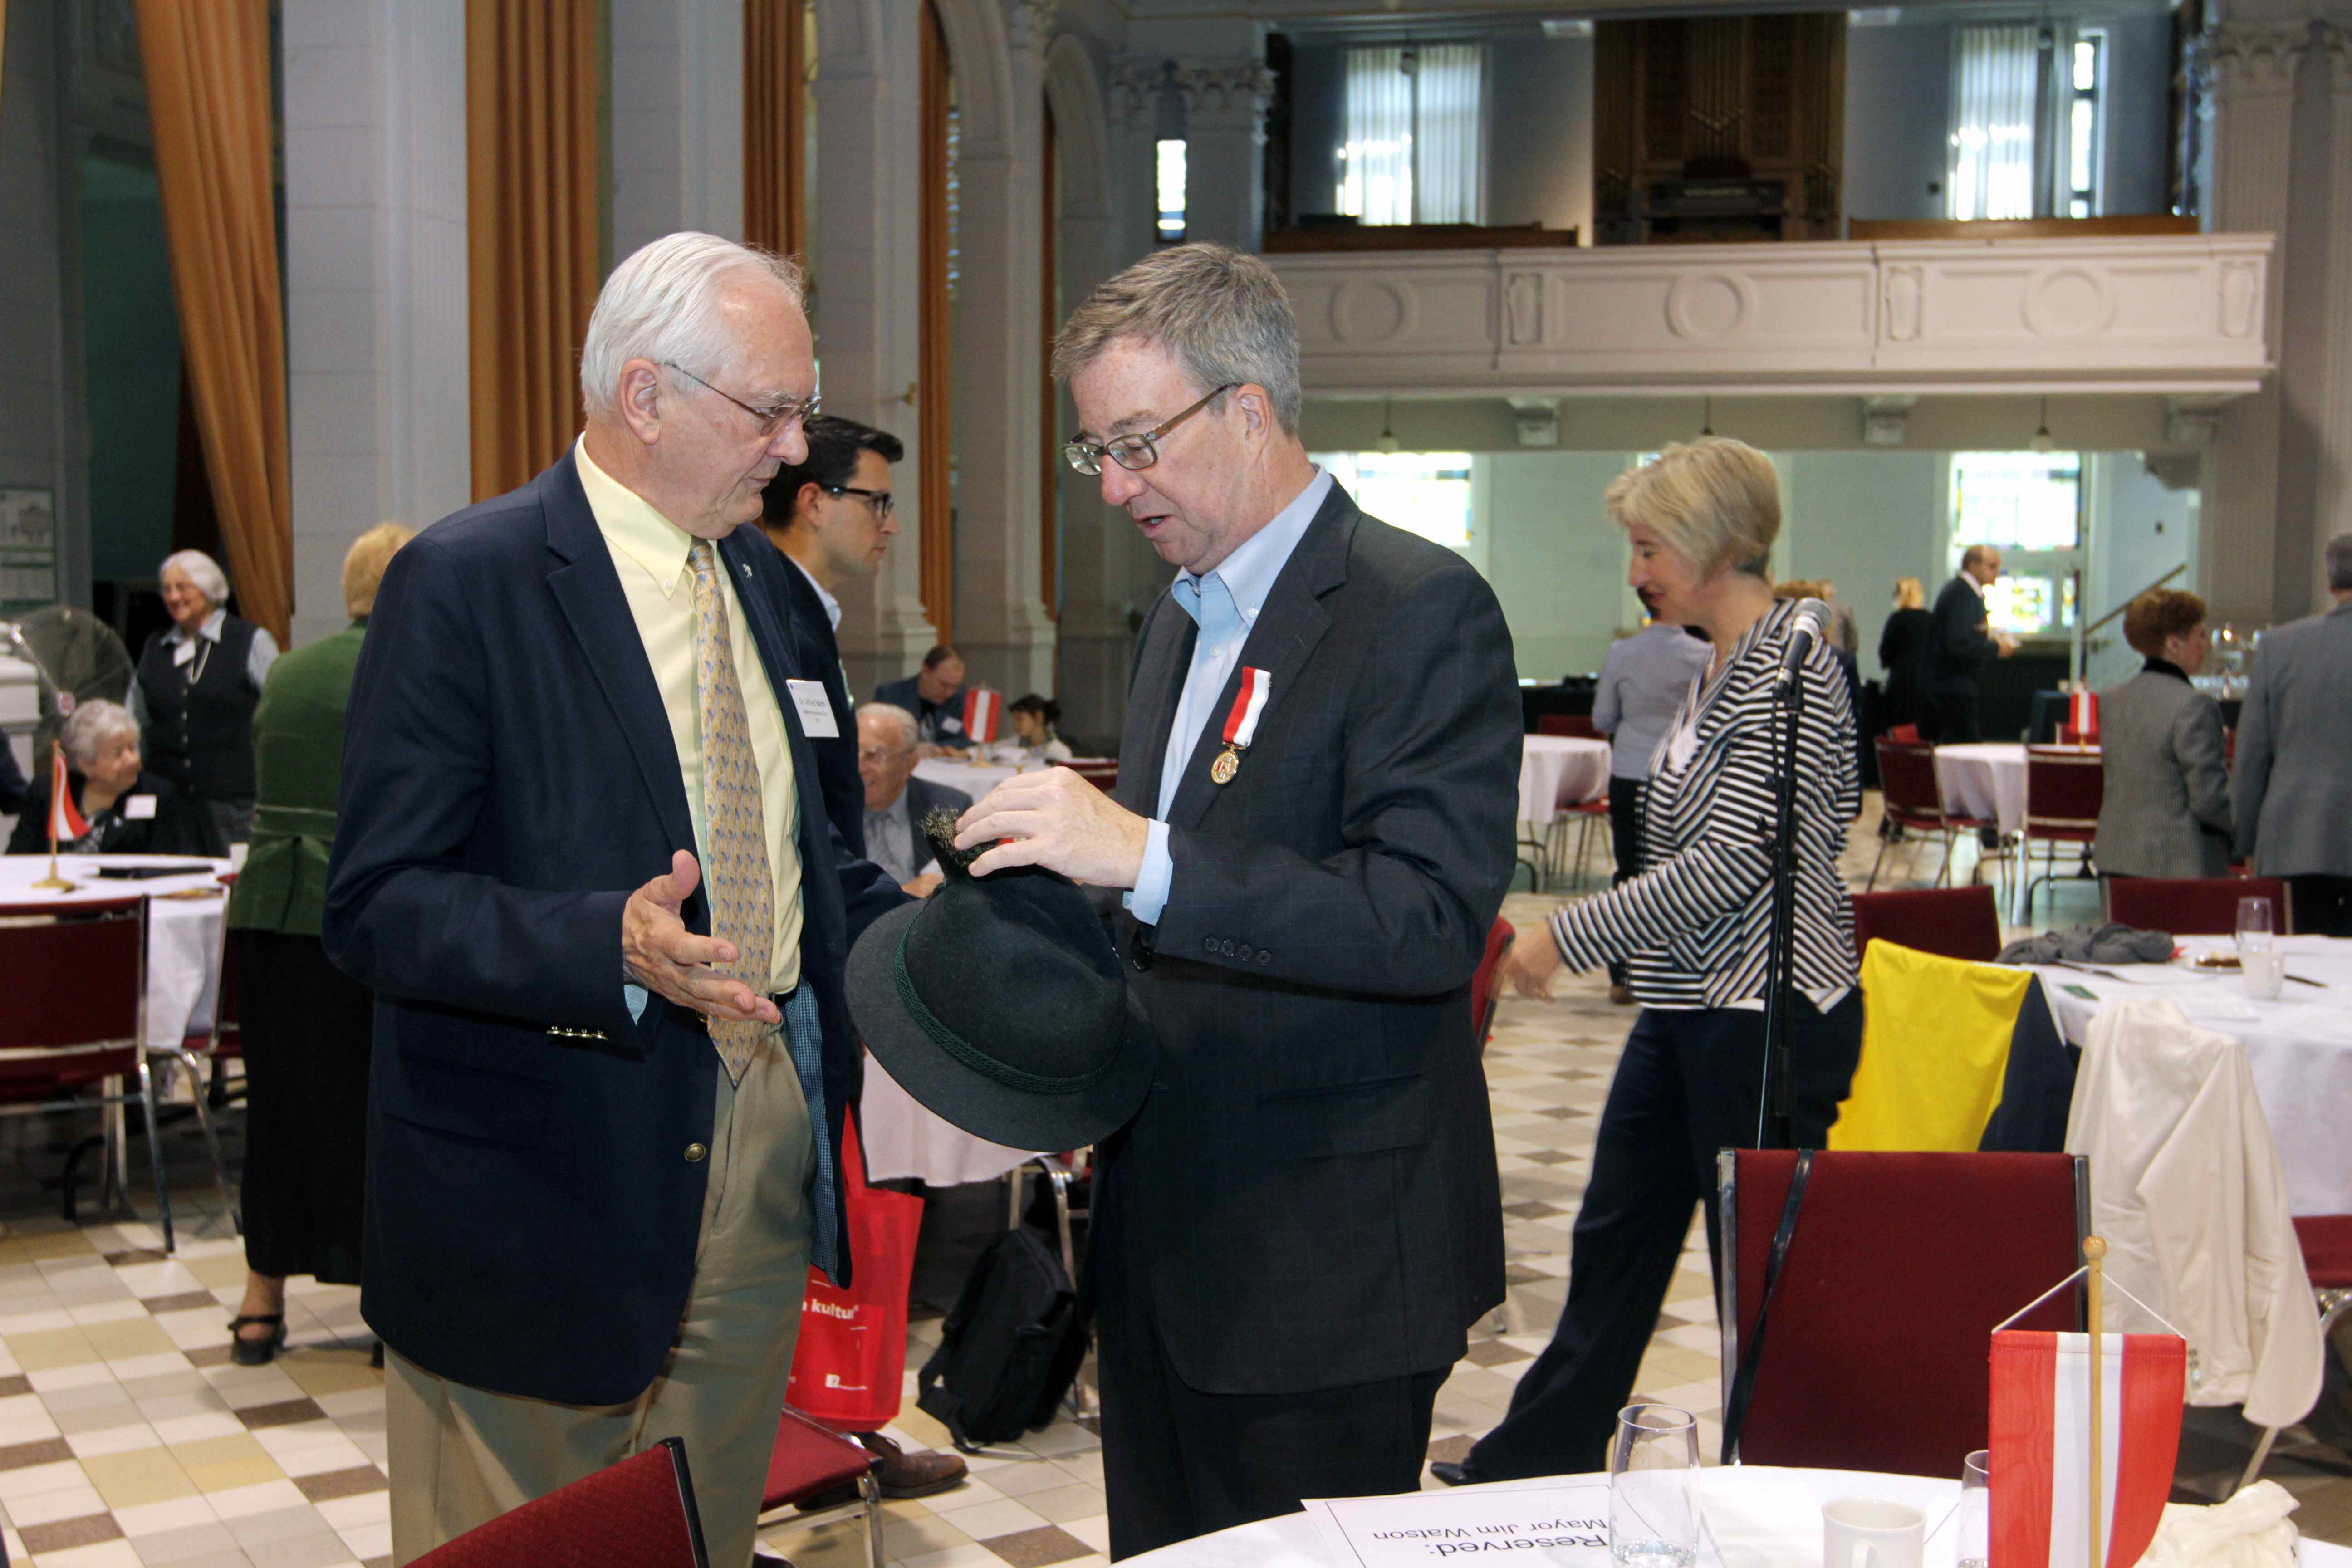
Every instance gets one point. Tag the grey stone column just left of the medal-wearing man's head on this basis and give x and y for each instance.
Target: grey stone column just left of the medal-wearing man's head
(1001, 624)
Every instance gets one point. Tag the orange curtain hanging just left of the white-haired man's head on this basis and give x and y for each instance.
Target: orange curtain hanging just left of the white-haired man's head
(533, 227)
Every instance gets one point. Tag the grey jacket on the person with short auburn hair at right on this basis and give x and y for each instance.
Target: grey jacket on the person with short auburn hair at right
(2167, 808)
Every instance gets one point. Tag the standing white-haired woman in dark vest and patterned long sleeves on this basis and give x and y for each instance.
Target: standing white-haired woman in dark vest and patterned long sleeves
(194, 699)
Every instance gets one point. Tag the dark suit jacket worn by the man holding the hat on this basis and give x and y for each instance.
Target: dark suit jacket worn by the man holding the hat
(1311, 1186)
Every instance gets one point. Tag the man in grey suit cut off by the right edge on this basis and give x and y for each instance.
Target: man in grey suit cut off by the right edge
(2294, 758)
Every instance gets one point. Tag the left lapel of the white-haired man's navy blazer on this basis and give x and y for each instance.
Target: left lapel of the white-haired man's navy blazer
(589, 594)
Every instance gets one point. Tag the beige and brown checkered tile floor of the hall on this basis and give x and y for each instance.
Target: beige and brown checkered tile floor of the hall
(128, 1438)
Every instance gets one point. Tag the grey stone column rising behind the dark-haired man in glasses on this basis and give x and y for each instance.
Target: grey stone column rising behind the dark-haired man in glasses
(867, 297)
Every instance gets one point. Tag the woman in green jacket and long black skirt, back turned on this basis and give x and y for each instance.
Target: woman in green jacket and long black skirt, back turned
(307, 1024)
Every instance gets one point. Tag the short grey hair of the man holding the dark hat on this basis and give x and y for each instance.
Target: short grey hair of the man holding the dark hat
(1220, 311)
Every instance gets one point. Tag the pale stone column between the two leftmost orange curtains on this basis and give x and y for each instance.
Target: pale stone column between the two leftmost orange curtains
(377, 342)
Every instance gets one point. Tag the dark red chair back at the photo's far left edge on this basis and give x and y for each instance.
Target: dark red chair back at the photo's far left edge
(74, 1007)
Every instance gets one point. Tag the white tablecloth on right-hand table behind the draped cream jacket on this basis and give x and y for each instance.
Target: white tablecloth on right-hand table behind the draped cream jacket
(2299, 1047)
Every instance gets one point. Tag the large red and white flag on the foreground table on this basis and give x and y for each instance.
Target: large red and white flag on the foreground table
(2043, 1445)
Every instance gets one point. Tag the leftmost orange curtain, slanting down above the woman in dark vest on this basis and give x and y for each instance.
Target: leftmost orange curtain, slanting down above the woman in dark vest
(208, 72)
